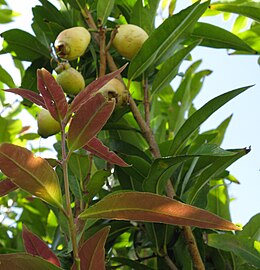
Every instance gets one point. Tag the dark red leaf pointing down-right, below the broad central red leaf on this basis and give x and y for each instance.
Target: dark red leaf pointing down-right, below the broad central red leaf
(96, 147)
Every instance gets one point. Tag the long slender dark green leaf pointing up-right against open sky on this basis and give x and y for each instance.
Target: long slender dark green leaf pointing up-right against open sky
(198, 117)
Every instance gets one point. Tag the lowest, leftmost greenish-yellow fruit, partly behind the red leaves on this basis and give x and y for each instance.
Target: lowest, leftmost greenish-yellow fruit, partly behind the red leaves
(47, 125)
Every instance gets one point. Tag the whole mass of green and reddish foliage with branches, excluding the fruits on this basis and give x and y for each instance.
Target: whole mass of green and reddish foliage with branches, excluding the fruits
(135, 186)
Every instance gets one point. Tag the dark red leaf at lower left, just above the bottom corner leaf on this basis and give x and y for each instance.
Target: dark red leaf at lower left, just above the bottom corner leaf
(35, 246)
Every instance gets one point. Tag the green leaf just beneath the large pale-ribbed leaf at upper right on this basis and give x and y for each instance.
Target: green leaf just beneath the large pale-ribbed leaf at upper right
(170, 68)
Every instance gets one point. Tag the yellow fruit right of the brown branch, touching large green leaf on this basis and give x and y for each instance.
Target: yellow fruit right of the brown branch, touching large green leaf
(129, 39)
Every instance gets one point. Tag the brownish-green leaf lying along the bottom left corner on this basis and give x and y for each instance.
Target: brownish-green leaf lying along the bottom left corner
(25, 261)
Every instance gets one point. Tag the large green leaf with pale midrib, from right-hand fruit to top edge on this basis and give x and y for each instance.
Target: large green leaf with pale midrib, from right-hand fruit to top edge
(162, 40)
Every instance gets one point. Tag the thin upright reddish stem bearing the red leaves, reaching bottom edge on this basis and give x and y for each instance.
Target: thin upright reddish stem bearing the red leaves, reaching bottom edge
(69, 213)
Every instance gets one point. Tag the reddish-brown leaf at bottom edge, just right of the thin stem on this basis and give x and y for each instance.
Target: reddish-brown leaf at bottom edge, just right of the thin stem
(92, 252)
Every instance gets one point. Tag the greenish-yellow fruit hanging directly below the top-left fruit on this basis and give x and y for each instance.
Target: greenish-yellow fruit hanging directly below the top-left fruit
(71, 81)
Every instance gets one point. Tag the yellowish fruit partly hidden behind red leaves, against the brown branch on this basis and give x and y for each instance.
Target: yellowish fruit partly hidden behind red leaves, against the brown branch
(115, 89)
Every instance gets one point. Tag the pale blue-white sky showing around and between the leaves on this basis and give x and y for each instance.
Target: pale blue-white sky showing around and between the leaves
(229, 72)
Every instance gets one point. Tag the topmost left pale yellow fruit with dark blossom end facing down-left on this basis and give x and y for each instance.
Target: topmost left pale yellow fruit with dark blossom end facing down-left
(72, 43)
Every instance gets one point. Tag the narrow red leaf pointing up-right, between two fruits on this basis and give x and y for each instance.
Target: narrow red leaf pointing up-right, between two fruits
(92, 88)
